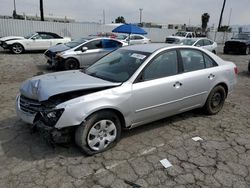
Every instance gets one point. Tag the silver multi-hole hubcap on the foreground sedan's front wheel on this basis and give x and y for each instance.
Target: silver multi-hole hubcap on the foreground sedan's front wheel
(101, 135)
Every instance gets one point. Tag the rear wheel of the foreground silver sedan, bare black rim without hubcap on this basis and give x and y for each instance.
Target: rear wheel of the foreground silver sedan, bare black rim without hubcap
(215, 100)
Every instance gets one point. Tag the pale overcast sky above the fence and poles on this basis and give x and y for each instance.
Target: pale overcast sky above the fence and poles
(158, 11)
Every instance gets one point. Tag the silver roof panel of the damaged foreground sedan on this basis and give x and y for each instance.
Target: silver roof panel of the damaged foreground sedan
(151, 47)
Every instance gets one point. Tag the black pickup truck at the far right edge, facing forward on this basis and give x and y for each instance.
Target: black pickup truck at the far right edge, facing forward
(240, 43)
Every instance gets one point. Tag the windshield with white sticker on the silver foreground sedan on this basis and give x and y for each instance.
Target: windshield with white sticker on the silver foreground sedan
(118, 66)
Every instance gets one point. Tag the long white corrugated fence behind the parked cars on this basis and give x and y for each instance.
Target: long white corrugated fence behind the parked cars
(23, 27)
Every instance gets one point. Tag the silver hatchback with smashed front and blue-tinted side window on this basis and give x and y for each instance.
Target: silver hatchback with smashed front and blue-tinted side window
(83, 52)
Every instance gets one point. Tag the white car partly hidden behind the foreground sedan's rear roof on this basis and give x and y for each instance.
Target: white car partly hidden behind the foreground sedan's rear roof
(201, 42)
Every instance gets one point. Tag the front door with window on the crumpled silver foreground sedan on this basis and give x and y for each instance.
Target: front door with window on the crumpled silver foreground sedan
(157, 91)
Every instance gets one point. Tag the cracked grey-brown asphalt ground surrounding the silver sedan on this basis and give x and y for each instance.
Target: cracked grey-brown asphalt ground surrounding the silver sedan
(221, 159)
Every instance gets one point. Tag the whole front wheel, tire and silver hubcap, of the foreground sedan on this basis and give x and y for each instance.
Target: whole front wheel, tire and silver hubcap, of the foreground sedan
(100, 132)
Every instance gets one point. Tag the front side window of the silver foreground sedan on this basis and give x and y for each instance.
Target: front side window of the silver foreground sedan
(162, 66)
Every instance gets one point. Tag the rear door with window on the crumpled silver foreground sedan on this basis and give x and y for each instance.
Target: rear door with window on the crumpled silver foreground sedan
(198, 77)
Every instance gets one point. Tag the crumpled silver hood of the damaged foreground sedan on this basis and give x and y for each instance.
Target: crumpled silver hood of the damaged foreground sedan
(42, 87)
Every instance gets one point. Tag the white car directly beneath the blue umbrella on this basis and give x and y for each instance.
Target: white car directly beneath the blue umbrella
(133, 39)
